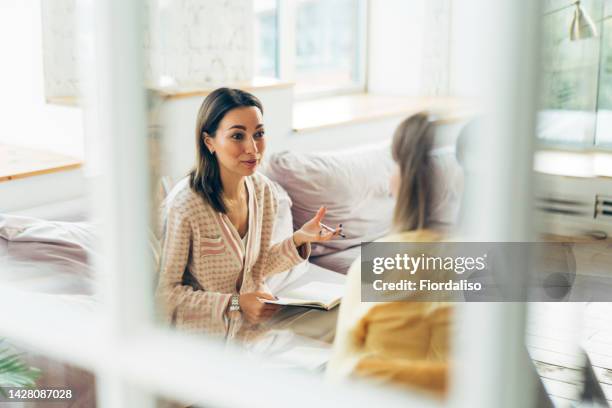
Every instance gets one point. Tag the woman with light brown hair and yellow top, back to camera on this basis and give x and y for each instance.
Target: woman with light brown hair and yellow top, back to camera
(404, 343)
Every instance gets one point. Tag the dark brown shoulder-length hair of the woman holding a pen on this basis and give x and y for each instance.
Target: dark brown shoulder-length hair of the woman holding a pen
(205, 178)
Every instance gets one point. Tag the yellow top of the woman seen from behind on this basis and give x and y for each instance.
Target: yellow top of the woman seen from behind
(401, 343)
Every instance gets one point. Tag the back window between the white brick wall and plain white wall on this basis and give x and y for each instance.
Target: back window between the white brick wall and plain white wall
(318, 44)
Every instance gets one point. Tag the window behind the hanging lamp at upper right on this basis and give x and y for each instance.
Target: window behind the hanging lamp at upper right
(576, 100)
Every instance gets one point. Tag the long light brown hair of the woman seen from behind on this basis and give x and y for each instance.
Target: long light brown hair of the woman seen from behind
(412, 143)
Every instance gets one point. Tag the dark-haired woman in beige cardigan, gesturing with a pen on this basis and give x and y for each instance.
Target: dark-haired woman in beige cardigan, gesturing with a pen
(216, 248)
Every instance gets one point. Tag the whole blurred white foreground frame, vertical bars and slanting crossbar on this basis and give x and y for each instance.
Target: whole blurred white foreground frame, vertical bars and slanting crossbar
(134, 359)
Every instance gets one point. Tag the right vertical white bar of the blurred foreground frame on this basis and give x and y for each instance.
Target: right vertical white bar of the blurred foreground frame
(494, 58)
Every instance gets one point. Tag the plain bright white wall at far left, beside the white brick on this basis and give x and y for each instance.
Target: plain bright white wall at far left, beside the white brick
(26, 119)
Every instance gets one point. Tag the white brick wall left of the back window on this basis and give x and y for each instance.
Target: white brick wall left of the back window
(188, 44)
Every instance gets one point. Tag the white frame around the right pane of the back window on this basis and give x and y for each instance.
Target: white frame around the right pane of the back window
(286, 23)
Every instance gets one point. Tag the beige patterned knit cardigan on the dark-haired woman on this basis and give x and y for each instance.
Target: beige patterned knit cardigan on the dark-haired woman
(203, 256)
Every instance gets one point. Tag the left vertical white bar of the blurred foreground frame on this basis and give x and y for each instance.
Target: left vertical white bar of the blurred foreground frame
(122, 187)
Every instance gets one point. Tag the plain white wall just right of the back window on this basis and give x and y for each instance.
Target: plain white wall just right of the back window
(409, 47)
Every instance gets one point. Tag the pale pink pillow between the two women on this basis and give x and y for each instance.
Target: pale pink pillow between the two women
(352, 184)
